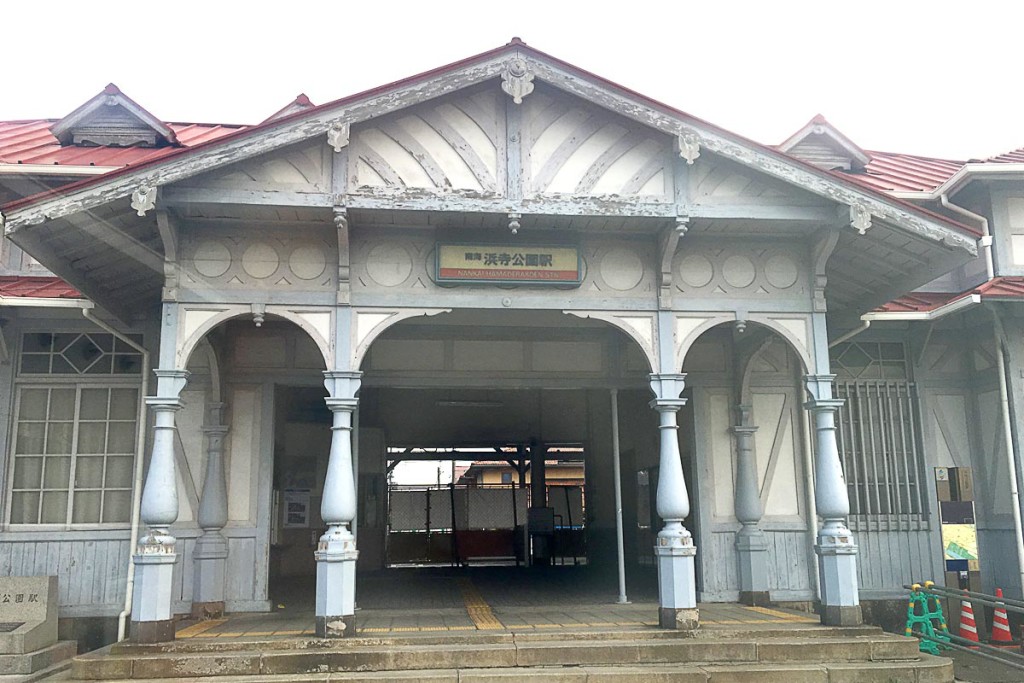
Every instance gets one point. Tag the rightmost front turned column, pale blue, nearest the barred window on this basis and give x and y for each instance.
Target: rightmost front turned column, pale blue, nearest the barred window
(836, 547)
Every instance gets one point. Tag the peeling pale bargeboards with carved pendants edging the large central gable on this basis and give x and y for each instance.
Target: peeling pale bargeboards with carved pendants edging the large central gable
(519, 67)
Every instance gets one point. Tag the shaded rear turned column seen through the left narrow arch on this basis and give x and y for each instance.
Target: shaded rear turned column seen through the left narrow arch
(210, 556)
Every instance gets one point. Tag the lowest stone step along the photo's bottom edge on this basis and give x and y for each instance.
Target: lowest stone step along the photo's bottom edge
(927, 670)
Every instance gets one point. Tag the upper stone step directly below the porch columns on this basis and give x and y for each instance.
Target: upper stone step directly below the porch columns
(492, 653)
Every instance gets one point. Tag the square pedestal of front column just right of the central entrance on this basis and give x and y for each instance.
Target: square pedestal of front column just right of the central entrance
(676, 579)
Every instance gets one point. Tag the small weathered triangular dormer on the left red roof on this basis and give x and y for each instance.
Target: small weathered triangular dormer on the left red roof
(113, 119)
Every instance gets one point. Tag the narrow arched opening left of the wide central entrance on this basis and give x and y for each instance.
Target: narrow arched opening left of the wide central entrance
(254, 440)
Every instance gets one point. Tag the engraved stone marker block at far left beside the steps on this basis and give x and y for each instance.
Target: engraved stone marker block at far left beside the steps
(28, 614)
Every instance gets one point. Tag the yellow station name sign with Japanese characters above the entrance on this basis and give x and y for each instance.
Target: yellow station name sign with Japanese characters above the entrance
(502, 265)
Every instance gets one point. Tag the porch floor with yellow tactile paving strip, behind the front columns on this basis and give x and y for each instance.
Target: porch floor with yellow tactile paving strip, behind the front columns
(490, 600)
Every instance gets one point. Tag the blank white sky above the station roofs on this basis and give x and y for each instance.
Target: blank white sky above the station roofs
(931, 78)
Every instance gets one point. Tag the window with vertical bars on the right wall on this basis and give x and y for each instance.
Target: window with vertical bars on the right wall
(879, 434)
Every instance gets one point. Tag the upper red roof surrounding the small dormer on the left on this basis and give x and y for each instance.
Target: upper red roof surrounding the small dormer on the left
(32, 143)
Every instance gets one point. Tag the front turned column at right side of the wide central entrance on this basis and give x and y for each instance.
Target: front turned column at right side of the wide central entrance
(675, 550)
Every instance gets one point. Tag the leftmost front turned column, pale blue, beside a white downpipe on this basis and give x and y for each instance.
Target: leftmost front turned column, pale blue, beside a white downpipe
(155, 556)
